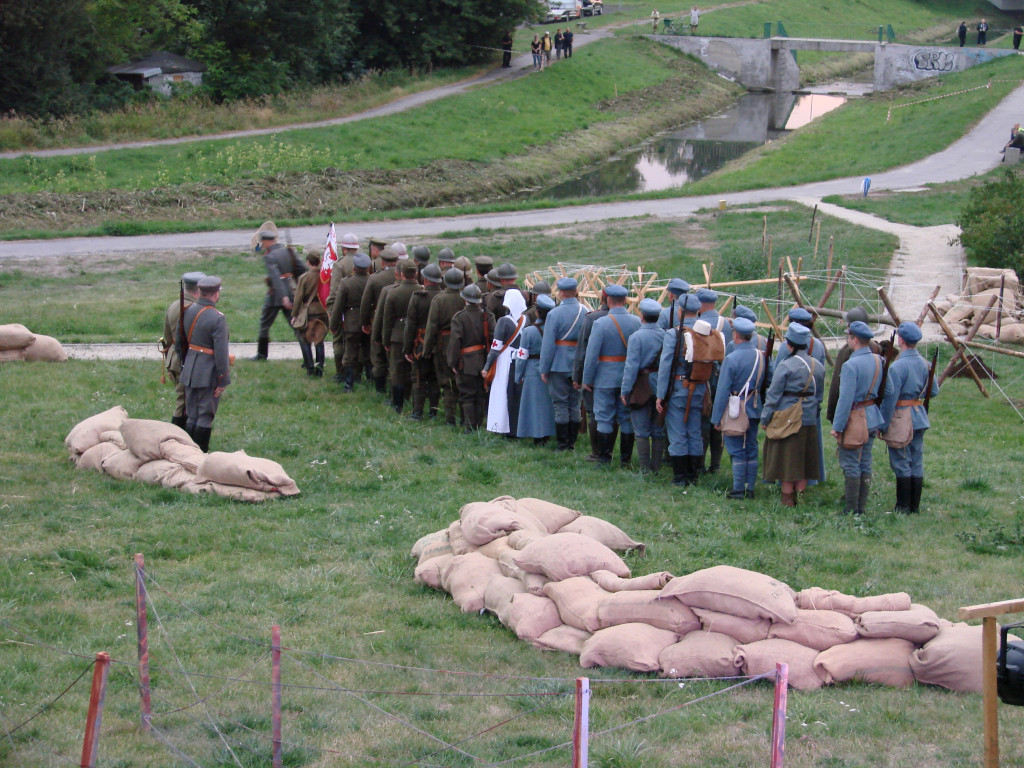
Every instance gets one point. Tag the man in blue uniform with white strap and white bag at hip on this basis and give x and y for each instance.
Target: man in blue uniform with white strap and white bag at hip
(742, 374)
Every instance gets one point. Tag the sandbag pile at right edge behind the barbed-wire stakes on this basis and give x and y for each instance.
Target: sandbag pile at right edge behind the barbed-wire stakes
(983, 285)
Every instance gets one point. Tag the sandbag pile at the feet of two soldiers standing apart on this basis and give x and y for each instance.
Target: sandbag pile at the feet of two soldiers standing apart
(163, 454)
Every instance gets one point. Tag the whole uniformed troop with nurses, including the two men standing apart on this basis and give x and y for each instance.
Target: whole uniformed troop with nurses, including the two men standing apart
(680, 382)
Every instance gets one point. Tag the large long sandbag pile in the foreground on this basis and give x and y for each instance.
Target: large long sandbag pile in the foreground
(553, 577)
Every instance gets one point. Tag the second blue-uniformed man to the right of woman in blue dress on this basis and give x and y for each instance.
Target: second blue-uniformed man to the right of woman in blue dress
(603, 374)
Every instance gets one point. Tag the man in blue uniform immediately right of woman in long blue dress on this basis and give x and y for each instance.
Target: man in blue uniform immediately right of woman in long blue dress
(562, 337)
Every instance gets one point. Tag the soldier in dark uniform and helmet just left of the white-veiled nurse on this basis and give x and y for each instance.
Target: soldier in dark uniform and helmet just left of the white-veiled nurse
(472, 333)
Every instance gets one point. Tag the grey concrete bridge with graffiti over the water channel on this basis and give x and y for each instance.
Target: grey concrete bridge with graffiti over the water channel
(771, 64)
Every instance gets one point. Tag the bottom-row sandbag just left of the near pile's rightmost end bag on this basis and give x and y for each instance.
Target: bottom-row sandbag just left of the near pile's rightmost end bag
(883, 662)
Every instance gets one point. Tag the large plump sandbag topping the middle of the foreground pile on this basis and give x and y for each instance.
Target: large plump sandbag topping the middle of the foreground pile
(738, 591)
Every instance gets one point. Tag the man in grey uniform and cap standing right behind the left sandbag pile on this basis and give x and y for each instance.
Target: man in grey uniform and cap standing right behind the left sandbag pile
(206, 372)
